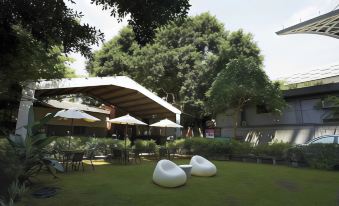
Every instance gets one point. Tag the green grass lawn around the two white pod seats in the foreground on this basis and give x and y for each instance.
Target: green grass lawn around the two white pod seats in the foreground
(235, 184)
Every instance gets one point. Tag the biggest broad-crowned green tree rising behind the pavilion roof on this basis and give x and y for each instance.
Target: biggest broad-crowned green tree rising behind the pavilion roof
(181, 62)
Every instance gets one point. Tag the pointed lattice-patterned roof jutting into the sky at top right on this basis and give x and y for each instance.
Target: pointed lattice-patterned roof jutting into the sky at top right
(326, 24)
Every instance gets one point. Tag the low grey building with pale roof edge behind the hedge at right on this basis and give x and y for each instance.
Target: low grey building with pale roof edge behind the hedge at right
(305, 117)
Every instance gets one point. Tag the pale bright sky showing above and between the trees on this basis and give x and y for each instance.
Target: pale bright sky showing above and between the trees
(284, 55)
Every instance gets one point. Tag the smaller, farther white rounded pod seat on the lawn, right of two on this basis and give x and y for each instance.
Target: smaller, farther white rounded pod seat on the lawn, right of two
(202, 167)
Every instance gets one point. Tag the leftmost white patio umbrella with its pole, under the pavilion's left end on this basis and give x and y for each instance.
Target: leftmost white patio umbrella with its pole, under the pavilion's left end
(75, 113)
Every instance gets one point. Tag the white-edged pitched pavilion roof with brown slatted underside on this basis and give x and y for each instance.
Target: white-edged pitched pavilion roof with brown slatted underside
(119, 91)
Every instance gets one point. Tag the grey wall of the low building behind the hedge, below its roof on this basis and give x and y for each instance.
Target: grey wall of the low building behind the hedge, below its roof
(299, 122)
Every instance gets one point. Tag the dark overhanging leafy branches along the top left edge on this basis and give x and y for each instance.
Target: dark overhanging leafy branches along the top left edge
(53, 23)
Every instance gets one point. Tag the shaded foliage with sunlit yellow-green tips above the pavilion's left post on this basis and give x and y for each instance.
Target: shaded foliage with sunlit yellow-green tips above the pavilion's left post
(30, 61)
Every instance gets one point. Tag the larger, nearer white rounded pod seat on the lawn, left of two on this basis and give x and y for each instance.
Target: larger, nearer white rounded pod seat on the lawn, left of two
(168, 174)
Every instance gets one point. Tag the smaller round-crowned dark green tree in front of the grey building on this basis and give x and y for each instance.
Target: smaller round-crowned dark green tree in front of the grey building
(243, 82)
